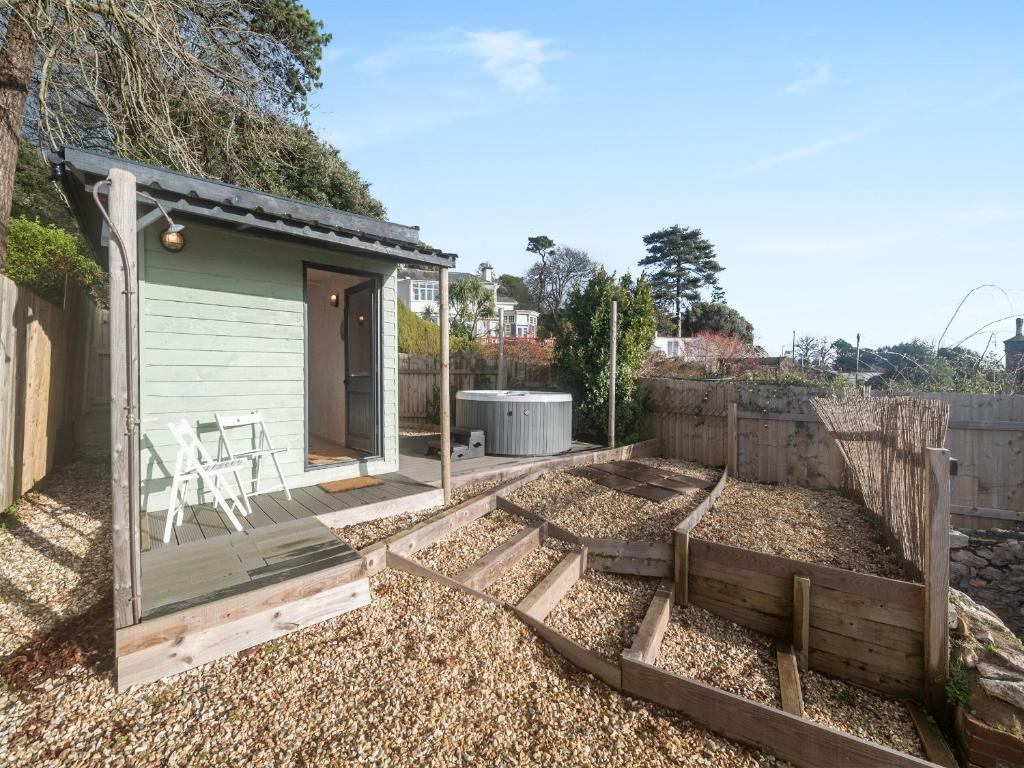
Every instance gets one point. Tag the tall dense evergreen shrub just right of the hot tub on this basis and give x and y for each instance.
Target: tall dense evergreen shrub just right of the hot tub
(583, 354)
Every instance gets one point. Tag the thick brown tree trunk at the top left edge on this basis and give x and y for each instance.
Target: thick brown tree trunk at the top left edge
(17, 60)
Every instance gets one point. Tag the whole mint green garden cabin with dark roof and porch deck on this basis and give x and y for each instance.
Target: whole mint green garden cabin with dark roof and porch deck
(259, 305)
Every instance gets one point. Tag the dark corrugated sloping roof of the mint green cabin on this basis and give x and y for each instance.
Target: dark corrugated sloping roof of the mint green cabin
(188, 197)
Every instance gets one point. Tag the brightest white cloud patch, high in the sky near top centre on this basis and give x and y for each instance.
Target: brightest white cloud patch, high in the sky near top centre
(514, 59)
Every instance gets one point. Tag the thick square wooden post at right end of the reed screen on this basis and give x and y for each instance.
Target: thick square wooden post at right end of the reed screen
(937, 583)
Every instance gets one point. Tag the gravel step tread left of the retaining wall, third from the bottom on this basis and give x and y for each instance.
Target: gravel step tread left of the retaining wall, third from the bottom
(603, 612)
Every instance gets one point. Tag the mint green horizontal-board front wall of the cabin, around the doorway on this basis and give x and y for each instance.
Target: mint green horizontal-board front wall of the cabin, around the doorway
(222, 329)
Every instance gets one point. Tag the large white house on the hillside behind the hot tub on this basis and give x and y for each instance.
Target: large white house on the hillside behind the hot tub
(419, 290)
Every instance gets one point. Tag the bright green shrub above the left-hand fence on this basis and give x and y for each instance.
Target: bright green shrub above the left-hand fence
(45, 259)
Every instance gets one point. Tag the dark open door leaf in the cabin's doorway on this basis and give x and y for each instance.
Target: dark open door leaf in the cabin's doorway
(361, 367)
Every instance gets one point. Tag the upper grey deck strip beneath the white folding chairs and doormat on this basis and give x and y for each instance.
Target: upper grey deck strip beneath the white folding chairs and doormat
(205, 522)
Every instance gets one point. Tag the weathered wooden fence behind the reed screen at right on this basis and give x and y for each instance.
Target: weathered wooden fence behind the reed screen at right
(782, 440)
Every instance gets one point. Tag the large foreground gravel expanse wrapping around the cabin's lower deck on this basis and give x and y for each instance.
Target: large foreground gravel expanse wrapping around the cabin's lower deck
(425, 676)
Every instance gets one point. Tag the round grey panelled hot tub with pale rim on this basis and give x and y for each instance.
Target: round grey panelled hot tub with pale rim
(518, 422)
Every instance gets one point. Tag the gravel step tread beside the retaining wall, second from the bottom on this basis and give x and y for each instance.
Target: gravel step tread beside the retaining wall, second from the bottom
(701, 646)
